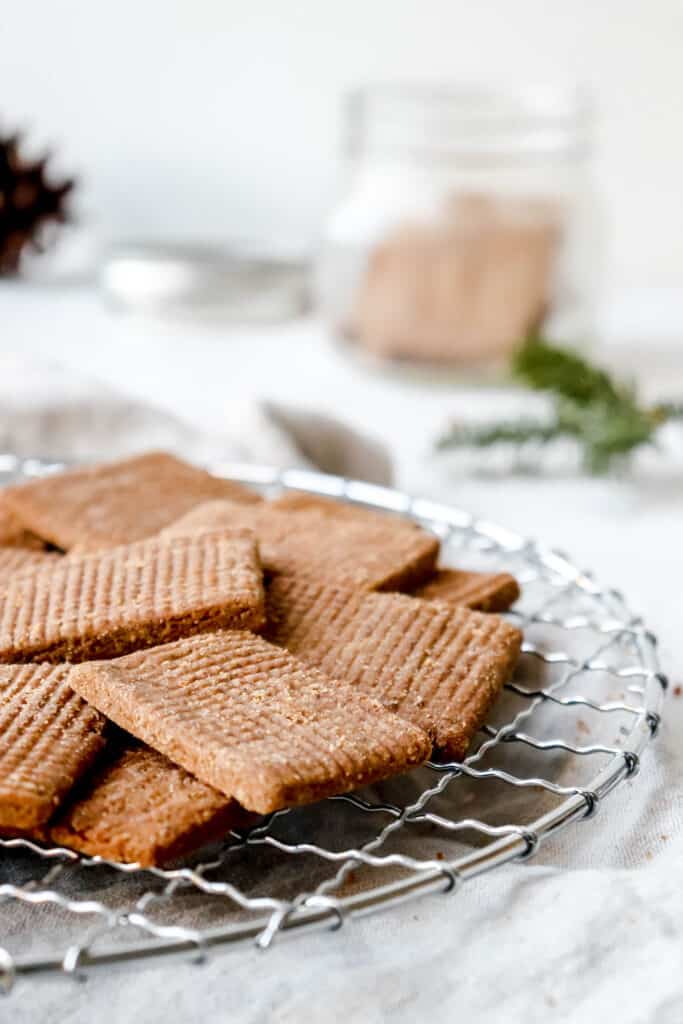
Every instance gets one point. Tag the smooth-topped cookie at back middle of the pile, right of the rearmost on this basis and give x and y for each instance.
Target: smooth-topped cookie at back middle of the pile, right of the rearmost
(327, 540)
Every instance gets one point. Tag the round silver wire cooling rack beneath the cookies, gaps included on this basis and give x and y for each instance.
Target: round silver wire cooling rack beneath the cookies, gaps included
(571, 727)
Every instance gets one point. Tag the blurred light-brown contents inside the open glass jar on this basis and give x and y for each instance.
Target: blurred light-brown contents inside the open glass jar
(465, 288)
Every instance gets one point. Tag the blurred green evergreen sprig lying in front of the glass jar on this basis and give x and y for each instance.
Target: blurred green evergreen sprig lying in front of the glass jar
(603, 415)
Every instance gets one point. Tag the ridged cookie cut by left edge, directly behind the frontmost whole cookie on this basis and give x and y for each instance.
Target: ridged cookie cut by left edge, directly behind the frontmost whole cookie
(108, 603)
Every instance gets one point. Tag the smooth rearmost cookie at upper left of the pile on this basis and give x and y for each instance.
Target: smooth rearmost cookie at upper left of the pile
(118, 502)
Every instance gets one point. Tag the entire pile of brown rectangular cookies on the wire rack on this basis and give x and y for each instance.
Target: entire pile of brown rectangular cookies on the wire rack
(180, 656)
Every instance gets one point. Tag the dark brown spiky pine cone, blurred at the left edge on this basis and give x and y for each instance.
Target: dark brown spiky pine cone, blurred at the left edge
(28, 204)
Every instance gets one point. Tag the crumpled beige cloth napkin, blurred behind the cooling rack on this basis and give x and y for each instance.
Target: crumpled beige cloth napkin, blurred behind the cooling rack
(50, 412)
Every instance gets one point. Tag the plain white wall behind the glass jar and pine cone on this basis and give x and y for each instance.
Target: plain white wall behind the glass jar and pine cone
(221, 119)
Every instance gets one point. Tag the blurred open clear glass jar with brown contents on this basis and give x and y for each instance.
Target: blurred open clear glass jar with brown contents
(468, 222)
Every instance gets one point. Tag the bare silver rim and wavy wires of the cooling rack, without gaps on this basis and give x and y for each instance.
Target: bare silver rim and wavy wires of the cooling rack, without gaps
(321, 910)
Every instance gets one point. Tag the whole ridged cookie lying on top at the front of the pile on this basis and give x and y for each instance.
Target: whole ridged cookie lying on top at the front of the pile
(249, 719)
